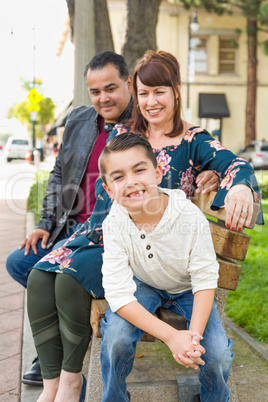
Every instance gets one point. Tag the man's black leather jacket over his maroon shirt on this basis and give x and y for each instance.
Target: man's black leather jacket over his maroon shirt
(80, 135)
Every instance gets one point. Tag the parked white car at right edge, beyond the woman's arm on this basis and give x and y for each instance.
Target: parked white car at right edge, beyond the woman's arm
(256, 153)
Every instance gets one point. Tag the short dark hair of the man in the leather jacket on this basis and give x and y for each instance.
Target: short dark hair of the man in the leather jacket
(101, 60)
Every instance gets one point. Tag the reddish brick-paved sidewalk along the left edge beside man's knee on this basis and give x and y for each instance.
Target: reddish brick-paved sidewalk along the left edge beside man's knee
(11, 305)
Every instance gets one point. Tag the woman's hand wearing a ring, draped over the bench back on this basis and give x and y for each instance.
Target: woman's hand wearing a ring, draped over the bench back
(238, 206)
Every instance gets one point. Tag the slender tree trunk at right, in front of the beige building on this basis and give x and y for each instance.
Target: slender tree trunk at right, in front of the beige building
(252, 82)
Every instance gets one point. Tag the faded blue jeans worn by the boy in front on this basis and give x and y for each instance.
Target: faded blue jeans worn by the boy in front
(119, 339)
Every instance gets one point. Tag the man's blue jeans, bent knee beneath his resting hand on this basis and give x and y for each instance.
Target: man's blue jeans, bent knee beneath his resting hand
(19, 266)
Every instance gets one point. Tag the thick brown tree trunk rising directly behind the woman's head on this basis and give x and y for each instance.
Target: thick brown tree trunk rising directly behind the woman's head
(141, 31)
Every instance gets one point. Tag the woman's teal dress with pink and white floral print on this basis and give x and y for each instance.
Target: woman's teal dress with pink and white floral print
(81, 255)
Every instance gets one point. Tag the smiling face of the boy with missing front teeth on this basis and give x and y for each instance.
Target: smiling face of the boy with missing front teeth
(132, 179)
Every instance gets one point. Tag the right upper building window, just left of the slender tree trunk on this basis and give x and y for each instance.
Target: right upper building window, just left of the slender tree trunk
(227, 56)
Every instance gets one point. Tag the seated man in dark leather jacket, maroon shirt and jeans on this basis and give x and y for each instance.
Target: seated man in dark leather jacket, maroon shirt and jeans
(70, 193)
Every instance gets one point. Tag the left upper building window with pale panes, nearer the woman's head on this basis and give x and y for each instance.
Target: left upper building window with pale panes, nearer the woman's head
(199, 54)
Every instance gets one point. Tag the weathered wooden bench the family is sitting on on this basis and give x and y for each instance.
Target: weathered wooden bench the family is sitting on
(229, 247)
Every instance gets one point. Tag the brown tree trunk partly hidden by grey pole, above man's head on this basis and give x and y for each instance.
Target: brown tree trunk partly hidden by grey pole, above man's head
(103, 32)
